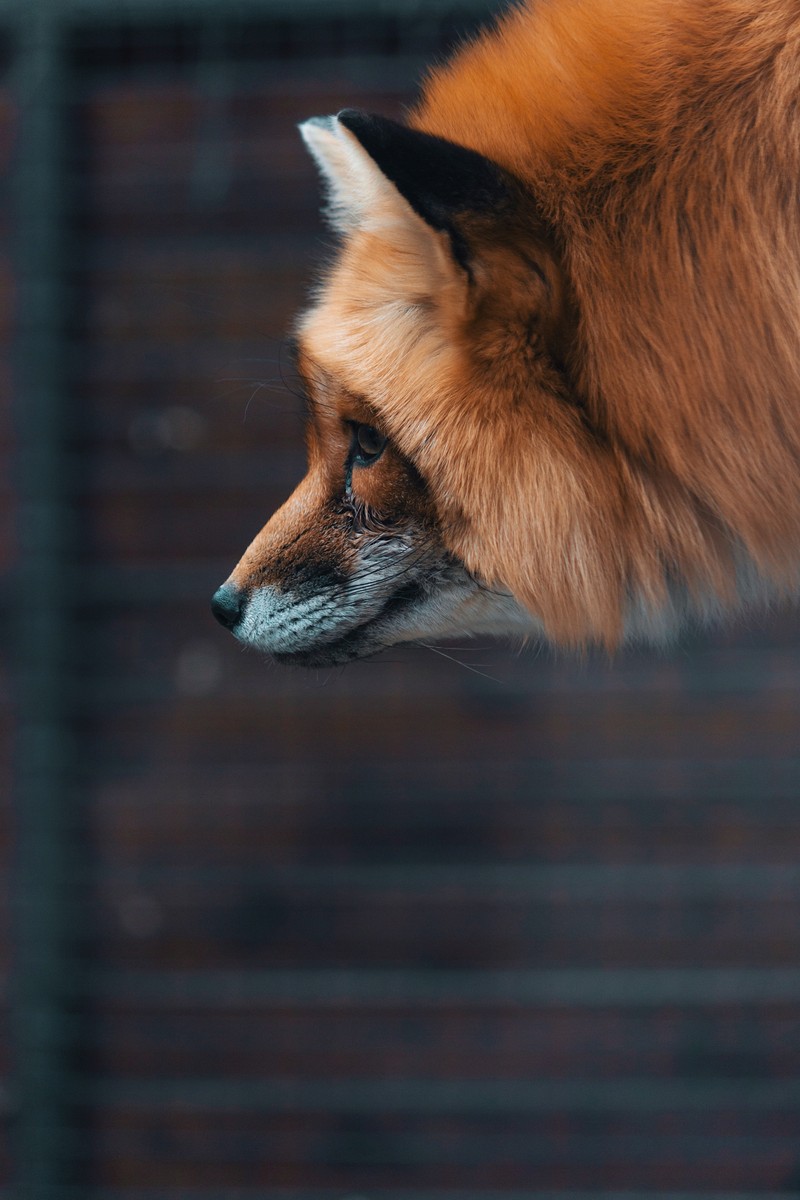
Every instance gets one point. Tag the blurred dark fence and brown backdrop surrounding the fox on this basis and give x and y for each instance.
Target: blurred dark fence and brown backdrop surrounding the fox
(476, 928)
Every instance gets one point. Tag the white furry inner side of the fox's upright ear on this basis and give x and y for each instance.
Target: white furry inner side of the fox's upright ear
(359, 194)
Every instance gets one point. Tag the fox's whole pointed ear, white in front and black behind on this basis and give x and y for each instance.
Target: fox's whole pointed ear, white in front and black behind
(371, 163)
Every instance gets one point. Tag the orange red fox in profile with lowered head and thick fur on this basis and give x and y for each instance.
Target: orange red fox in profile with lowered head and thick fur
(552, 371)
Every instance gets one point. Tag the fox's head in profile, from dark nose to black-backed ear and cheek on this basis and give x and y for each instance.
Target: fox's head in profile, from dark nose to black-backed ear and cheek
(455, 485)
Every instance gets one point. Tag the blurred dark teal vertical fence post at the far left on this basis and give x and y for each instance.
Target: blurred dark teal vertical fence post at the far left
(41, 602)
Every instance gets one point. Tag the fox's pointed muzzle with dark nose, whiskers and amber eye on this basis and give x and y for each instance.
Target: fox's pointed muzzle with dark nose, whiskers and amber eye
(348, 566)
